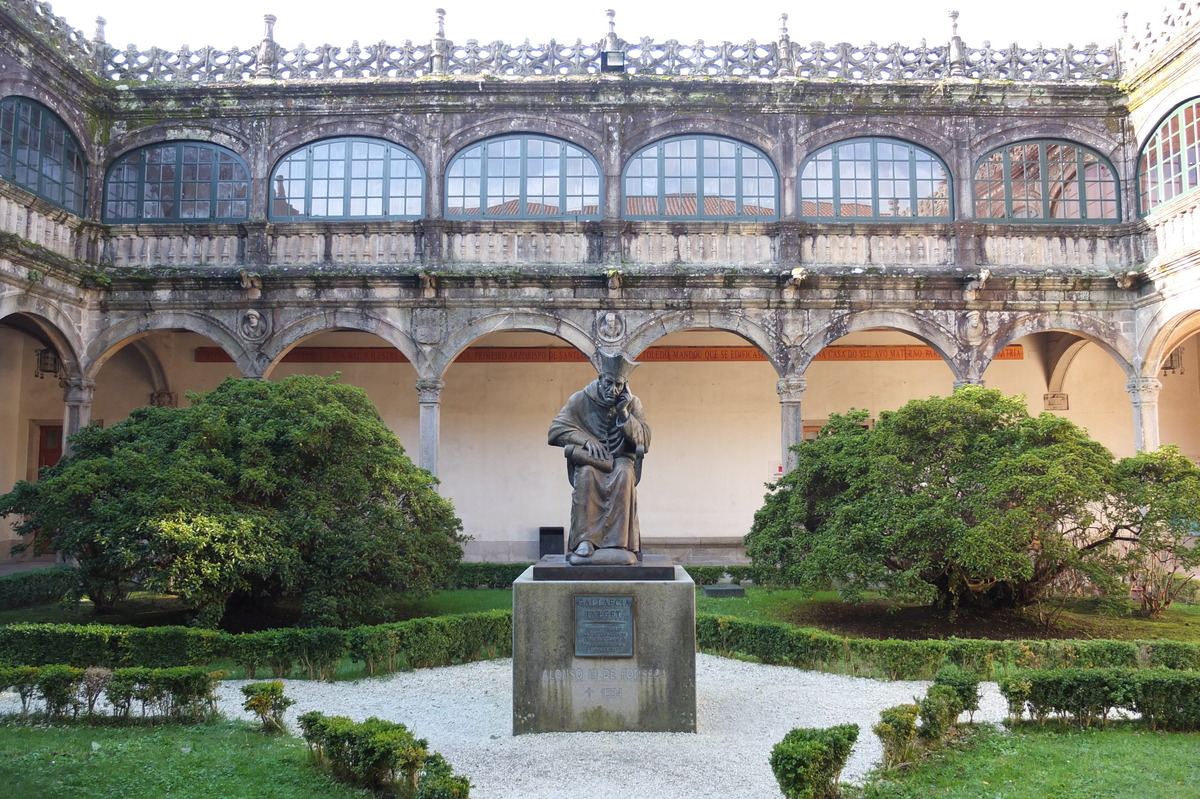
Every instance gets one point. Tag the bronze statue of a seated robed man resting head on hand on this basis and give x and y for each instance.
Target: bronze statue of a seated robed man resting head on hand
(604, 435)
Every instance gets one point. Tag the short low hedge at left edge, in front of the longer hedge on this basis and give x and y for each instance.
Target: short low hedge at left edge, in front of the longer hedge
(179, 694)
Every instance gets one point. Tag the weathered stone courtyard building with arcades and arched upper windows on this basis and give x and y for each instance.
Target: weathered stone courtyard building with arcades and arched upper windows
(777, 231)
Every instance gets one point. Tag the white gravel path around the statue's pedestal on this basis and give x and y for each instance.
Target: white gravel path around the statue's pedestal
(745, 710)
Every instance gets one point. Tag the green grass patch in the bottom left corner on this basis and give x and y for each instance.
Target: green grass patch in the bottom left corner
(226, 760)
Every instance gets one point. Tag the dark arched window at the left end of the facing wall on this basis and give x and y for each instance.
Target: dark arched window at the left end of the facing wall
(178, 182)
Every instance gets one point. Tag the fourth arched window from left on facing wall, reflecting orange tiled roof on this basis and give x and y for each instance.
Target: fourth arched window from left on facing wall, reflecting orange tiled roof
(700, 178)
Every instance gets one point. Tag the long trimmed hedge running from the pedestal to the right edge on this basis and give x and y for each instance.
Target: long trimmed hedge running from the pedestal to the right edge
(819, 651)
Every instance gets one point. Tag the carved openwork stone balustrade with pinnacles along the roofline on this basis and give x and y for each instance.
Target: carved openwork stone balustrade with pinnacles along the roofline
(775, 58)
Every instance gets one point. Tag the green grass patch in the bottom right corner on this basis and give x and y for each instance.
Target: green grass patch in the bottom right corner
(1054, 762)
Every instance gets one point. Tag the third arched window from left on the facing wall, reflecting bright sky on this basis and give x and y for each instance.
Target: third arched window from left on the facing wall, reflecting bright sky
(525, 177)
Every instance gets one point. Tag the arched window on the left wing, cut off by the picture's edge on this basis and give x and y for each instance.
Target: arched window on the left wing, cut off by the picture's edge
(39, 153)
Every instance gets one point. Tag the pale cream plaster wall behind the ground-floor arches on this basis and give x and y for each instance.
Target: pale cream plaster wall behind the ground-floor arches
(716, 426)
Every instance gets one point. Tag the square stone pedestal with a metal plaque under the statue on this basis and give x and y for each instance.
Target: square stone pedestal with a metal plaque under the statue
(604, 656)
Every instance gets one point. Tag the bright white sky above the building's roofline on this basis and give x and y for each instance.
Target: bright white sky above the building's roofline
(227, 23)
